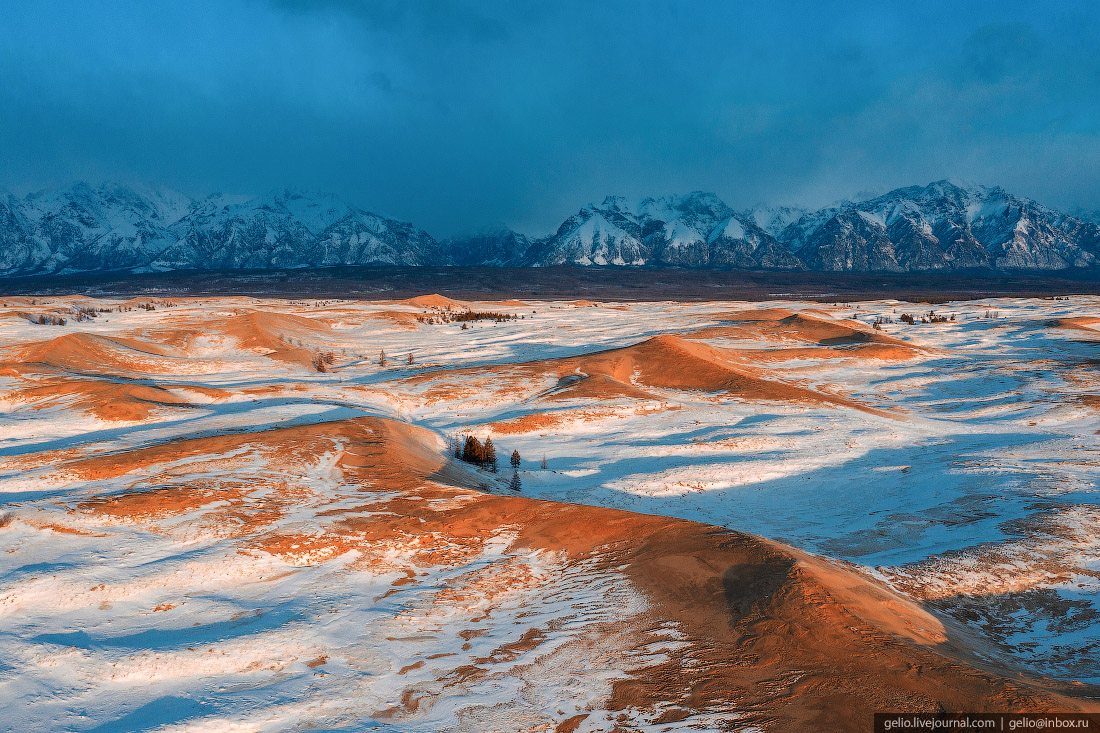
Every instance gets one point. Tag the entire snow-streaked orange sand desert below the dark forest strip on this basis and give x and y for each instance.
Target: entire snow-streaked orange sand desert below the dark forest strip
(751, 517)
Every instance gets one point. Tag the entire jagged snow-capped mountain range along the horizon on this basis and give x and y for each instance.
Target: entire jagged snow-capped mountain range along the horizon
(942, 226)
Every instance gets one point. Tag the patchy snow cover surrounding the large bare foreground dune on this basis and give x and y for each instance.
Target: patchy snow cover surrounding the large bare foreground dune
(966, 476)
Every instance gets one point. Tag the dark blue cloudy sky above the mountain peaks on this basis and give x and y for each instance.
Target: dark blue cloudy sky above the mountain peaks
(464, 115)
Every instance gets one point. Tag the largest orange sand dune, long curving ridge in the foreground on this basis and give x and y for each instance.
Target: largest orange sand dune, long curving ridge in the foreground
(791, 641)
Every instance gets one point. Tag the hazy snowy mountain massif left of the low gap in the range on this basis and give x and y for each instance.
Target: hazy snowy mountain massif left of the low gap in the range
(113, 227)
